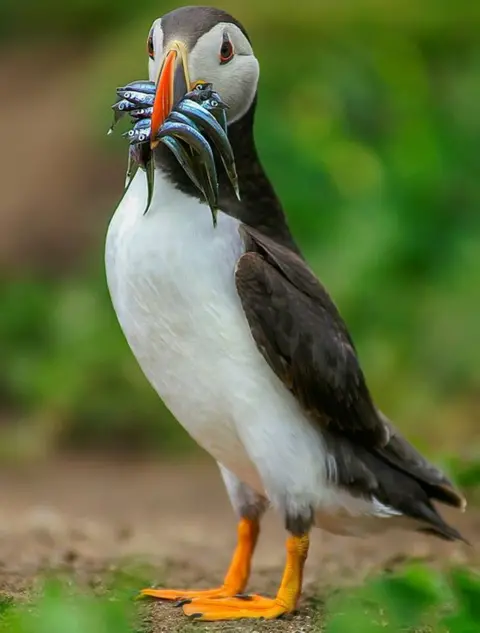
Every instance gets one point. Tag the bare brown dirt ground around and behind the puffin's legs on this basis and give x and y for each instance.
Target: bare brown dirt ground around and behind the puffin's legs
(91, 516)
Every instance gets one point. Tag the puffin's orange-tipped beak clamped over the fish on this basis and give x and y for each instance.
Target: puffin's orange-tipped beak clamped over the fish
(172, 84)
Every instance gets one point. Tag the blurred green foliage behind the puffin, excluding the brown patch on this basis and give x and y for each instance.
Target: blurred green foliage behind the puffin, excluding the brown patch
(368, 125)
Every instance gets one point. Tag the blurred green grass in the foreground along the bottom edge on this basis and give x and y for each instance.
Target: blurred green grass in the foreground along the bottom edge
(416, 599)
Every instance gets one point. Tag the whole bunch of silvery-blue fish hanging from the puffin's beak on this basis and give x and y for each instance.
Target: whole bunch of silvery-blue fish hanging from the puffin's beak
(196, 125)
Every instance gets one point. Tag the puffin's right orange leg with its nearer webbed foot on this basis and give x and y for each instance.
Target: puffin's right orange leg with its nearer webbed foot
(235, 608)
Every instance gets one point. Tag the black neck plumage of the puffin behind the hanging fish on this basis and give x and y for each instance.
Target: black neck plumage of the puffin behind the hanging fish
(259, 207)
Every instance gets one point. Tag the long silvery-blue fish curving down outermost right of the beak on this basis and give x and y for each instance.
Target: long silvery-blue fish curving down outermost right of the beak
(205, 120)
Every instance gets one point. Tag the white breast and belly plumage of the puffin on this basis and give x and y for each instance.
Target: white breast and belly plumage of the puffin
(171, 279)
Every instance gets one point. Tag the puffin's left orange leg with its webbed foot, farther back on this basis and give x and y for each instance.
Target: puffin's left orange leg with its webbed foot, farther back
(237, 575)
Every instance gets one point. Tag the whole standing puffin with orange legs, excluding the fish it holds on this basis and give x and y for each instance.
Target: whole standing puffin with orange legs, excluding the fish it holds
(245, 346)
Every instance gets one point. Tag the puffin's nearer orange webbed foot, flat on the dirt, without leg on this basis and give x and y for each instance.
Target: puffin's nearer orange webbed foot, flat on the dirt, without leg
(236, 608)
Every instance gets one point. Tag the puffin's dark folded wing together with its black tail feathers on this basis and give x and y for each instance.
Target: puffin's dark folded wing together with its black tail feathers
(300, 333)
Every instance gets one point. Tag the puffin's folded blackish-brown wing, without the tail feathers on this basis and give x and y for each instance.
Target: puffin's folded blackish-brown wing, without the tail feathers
(302, 336)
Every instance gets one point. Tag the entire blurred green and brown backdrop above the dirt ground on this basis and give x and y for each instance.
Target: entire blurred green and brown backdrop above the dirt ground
(369, 126)
